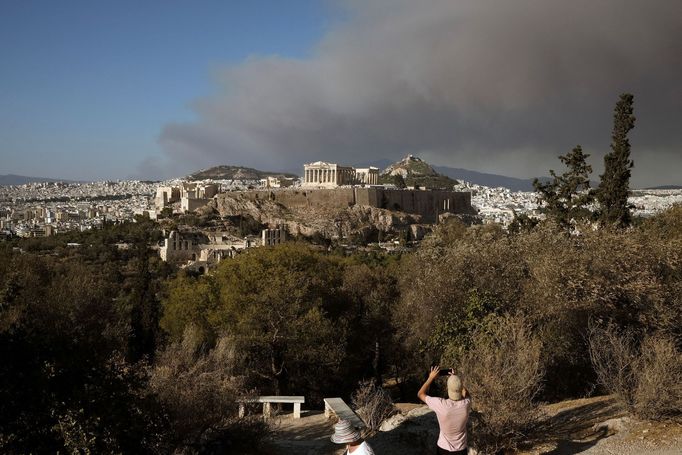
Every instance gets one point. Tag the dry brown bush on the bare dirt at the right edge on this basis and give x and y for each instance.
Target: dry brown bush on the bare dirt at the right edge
(646, 379)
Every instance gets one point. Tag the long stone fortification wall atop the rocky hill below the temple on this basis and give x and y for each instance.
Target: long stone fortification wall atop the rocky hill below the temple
(426, 203)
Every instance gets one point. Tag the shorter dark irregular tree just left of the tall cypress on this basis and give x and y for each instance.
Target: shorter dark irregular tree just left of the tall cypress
(567, 196)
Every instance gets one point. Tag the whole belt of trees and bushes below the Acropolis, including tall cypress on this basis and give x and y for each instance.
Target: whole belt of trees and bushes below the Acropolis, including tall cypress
(106, 349)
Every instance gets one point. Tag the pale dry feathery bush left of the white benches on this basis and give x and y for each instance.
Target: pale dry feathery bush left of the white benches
(199, 392)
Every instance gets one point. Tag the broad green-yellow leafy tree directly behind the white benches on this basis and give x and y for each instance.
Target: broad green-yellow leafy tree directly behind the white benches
(280, 304)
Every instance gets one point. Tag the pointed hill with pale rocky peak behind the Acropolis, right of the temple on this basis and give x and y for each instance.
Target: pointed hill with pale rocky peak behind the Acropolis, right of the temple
(413, 171)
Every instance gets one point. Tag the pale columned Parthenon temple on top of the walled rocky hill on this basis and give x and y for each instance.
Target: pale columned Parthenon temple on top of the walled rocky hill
(331, 175)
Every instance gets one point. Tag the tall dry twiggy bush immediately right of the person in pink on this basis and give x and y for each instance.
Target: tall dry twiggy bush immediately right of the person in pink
(503, 373)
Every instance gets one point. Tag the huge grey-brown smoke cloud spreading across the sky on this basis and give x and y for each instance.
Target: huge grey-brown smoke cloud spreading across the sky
(498, 86)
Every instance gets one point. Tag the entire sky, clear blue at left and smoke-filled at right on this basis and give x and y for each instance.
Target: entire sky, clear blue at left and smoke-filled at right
(95, 89)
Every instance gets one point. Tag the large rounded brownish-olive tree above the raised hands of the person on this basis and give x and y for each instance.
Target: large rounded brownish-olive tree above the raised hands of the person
(437, 281)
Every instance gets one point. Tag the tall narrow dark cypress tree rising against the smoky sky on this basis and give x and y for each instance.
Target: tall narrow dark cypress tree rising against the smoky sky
(612, 192)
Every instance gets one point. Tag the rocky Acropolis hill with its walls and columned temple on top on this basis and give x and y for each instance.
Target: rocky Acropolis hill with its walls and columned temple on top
(340, 201)
